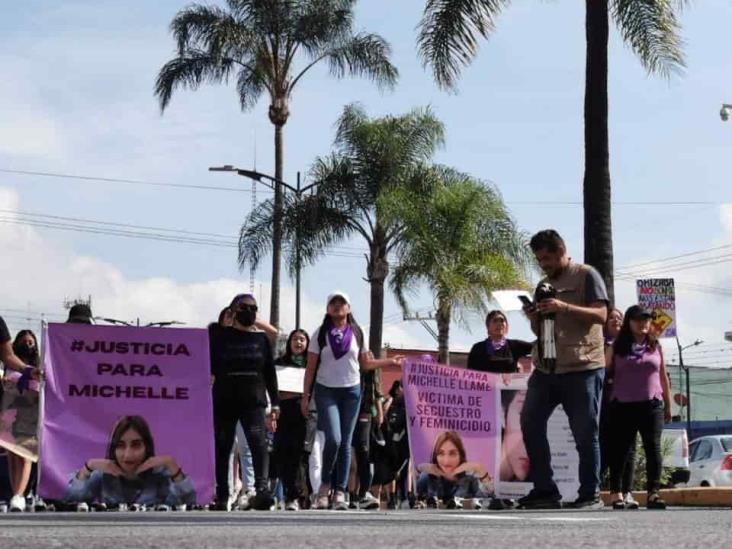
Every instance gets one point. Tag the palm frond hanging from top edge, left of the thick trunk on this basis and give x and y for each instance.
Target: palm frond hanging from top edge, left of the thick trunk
(448, 34)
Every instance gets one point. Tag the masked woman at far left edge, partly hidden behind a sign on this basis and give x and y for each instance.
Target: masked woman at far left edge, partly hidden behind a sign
(25, 404)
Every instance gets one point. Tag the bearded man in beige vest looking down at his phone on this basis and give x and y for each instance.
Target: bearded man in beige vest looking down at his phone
(567, 315)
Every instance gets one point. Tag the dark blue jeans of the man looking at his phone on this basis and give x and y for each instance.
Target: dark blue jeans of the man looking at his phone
(580, 394)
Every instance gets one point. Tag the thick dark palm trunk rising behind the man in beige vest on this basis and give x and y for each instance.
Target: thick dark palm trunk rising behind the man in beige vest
(596, 189)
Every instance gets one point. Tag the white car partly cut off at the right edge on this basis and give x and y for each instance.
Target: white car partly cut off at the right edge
(711, 461)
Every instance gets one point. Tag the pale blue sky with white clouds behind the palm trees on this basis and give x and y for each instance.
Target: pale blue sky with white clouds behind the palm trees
(76, 98)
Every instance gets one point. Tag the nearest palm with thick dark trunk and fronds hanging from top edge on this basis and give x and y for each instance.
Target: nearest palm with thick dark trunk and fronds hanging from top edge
(448, 41)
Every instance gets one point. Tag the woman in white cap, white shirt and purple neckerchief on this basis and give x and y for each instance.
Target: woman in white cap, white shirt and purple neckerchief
(336, 357)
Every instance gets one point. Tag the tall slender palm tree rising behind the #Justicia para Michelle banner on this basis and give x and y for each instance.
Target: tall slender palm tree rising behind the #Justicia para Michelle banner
(258, 43)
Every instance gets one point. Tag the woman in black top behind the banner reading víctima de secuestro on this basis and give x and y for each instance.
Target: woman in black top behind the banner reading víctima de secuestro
(497, 353)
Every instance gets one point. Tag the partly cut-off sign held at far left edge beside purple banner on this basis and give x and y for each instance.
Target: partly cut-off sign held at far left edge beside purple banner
(19, 417)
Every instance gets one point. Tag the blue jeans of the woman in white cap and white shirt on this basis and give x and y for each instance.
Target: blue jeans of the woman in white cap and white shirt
(337, 413)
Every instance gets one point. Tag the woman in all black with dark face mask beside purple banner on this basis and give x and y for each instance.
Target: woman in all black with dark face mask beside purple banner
(244, 374)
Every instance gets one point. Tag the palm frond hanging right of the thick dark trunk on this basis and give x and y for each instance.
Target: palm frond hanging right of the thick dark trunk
(652, 30)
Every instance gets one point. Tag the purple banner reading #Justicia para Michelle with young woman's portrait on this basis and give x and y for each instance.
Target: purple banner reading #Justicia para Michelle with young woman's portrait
(156, 383)
